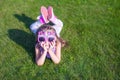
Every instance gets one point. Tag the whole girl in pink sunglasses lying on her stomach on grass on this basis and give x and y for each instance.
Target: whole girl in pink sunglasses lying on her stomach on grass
(48, 37)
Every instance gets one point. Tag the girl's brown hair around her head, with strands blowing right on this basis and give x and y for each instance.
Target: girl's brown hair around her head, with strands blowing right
(49, 27)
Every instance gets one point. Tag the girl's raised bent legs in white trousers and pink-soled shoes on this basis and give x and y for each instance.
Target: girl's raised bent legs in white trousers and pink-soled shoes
(47, 17)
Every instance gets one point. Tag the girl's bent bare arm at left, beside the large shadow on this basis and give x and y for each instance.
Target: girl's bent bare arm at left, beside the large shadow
(40, 57)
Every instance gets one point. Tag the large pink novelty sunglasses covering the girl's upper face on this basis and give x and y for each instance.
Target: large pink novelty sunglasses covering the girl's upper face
(46, 36)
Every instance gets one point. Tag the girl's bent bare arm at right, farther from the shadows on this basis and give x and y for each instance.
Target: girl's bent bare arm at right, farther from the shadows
(56, 57)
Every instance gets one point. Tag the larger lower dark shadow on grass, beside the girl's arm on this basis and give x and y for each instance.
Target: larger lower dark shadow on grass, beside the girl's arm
(24, 39)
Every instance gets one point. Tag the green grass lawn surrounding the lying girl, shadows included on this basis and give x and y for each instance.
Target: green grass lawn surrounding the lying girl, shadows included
(91, 27)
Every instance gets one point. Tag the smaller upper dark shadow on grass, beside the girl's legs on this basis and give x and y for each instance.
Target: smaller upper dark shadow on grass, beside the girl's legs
(25, 19)
